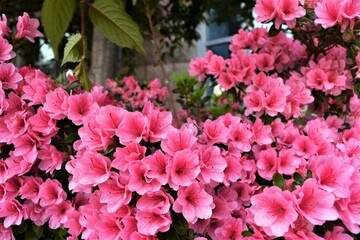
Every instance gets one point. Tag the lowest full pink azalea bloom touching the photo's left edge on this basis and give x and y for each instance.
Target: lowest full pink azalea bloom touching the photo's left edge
(12, 211)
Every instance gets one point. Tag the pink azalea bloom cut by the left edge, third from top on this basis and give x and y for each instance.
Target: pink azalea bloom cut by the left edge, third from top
(9, 77)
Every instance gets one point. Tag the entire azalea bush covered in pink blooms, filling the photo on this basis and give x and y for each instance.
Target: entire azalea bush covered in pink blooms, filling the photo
(277, 156)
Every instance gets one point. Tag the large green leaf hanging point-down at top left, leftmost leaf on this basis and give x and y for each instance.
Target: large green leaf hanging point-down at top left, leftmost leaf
(55, 17)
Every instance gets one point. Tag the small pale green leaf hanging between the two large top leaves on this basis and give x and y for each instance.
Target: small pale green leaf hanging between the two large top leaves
(74, 49)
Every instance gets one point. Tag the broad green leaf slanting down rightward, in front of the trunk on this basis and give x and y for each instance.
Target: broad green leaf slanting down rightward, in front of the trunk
(110, 18)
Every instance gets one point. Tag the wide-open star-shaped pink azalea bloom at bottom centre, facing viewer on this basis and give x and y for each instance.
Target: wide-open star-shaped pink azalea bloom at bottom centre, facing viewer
(193, 203)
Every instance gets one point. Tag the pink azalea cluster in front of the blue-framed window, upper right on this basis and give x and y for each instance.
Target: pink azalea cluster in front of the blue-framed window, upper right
(261, 64)
